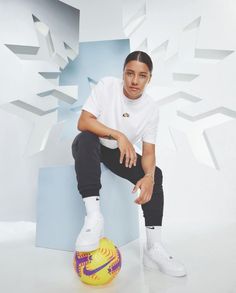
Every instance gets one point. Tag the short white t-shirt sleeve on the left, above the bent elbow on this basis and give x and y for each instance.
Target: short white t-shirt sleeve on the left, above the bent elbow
(93, 104)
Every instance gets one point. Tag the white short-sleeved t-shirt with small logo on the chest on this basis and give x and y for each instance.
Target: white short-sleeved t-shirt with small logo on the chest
(137, 119)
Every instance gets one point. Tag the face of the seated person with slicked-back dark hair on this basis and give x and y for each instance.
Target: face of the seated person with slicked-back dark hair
(136, 76)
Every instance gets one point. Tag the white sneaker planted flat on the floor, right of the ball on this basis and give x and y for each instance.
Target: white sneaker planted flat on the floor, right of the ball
(158, 258)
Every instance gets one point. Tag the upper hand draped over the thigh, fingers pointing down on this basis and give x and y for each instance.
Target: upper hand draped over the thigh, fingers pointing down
(126, 150)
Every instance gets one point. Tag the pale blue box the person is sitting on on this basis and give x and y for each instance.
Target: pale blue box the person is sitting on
(61, 211)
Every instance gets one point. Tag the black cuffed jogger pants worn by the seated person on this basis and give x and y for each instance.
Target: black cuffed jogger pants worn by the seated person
(88, 153)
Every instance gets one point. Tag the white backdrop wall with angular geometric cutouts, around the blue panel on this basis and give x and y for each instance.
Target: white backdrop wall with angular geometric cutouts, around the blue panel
(192, 44)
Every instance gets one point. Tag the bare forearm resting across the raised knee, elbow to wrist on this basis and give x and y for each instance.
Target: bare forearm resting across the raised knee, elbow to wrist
(101, 130)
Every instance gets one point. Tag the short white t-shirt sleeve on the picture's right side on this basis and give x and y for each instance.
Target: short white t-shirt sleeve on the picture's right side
(150, 132)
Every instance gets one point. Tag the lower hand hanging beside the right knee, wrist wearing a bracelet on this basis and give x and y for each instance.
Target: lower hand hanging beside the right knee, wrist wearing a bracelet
(146, 186)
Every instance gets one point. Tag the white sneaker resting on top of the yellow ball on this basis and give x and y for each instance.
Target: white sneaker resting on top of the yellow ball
(90, 234)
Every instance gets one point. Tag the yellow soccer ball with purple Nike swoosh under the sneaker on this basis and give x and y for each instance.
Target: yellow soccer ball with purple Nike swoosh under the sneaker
(100, 266)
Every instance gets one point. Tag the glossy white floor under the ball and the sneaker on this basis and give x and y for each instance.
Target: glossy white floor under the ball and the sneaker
(209, 255)
